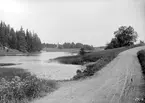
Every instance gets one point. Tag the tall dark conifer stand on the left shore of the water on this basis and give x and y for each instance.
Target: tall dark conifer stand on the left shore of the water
(24, 41)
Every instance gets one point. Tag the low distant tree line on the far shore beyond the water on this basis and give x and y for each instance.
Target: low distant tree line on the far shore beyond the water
(68, 45)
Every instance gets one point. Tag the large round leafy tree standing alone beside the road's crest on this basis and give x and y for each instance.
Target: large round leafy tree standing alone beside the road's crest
(124, 36)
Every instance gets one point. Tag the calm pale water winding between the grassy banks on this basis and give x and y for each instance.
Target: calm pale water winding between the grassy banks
(40, 66)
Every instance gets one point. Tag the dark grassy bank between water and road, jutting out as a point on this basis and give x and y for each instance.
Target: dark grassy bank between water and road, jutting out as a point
(99, 59)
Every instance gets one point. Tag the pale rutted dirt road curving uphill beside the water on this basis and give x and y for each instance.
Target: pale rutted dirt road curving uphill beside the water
(118, 82)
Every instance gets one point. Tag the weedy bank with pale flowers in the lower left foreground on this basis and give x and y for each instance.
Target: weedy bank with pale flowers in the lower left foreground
(19, 86)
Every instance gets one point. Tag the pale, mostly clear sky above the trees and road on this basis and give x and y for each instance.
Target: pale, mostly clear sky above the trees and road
(87, 21)
